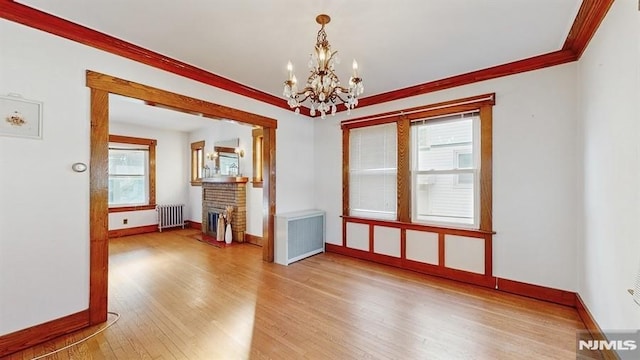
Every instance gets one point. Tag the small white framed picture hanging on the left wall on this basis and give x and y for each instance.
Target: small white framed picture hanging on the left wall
(20, 117)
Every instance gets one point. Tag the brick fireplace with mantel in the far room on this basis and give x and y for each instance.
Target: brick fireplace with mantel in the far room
(218, 193)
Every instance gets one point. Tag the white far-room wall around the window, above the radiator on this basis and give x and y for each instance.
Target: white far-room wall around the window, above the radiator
(172, 172)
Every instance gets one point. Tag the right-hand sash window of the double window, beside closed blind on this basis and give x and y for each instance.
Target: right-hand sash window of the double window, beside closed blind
(444, 172)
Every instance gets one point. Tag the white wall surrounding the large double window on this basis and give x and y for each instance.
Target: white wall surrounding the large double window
(534, 172)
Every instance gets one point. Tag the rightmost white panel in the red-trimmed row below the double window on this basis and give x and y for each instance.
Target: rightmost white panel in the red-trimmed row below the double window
(464, 253)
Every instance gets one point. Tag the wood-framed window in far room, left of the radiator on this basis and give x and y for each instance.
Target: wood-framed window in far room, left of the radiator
(131, 173)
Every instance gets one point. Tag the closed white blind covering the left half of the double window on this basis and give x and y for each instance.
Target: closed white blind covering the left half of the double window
(373, 172)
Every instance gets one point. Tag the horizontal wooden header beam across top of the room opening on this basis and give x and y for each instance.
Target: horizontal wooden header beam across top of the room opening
(135, 90)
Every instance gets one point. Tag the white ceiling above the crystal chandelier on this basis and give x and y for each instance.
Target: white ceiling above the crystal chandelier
(397, 44)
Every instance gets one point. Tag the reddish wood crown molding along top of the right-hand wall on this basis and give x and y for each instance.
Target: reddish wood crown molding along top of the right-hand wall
(587, 21)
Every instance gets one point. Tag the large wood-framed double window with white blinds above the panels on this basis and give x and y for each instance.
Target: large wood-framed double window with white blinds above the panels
(429, 165)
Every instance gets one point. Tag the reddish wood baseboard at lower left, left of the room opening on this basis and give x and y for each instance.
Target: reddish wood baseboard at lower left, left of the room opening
(29, 337)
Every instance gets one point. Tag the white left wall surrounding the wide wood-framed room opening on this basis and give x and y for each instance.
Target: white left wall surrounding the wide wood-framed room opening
(44, 227)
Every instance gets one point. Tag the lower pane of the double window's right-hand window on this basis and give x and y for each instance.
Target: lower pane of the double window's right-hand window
(439, 198)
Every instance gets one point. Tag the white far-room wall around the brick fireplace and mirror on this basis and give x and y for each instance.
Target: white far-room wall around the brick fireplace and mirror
(219, 131)
